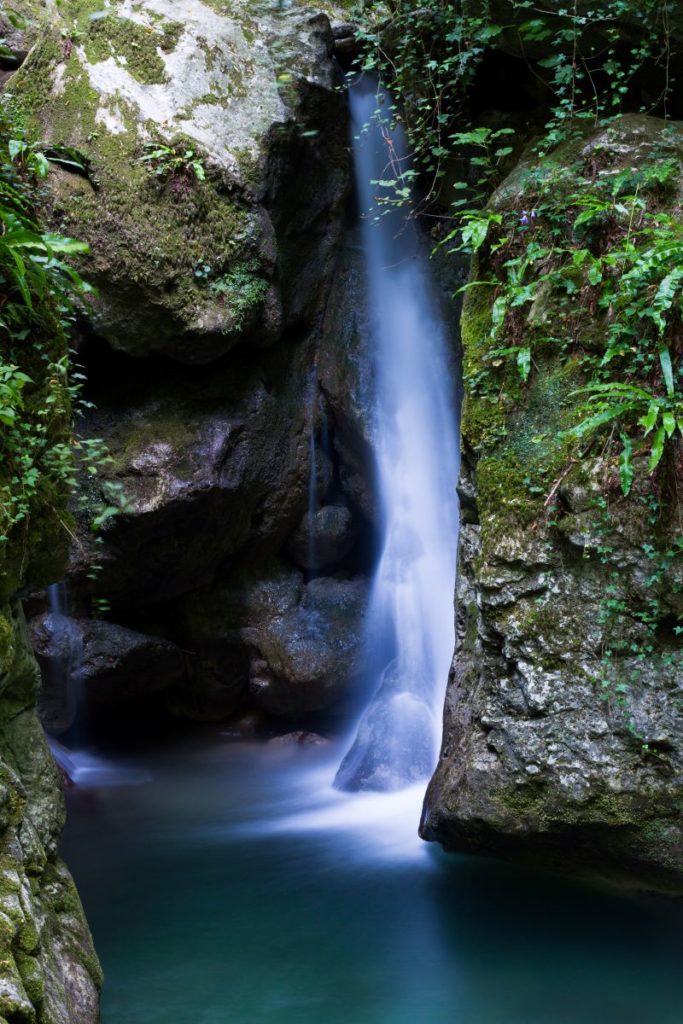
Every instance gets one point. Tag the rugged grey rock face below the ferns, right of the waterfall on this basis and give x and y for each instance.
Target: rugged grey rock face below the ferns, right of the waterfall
(550, 754)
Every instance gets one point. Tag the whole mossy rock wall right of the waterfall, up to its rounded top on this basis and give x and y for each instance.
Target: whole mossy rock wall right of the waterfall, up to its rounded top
(564, 737)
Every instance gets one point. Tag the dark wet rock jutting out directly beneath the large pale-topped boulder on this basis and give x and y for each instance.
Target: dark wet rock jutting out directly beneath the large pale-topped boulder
(206, 466)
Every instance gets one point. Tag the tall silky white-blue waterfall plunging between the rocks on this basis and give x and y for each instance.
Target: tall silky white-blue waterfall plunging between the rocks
(410, 635)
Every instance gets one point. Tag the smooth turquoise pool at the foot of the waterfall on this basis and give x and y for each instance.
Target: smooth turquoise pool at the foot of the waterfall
(234, 887)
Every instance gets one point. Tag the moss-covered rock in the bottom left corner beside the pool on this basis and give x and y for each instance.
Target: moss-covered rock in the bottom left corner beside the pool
(50, 971)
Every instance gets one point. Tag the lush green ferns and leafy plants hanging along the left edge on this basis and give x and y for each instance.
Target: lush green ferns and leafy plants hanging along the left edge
(40, 386)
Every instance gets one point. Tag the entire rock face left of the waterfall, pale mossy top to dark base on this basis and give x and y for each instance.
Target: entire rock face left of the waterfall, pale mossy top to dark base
(214, 186)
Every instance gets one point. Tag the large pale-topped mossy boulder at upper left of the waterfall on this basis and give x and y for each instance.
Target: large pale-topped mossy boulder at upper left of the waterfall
(194, 162)
